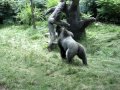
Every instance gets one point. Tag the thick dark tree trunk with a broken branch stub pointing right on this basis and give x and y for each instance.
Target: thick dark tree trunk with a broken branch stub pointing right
(77, 26)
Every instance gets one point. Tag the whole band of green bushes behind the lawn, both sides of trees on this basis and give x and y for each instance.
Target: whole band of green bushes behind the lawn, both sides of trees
(19, 10)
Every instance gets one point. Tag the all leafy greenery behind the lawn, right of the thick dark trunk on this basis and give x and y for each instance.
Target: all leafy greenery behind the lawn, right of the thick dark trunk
(104, 10)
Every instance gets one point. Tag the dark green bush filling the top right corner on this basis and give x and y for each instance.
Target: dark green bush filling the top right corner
(109, 11)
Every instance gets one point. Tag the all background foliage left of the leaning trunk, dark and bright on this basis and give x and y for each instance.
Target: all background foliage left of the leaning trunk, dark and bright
(21, 10)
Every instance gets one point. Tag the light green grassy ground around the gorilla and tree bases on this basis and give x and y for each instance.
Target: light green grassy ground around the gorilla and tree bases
(26, 64)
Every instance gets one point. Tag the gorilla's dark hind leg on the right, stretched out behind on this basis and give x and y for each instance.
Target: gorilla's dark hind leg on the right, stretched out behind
(82, 55)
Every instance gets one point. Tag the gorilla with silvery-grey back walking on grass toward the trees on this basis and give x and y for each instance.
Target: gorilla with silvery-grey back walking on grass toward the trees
(69, 47)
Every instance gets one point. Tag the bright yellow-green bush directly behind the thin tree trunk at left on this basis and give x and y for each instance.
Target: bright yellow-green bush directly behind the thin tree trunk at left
(24, 15)
